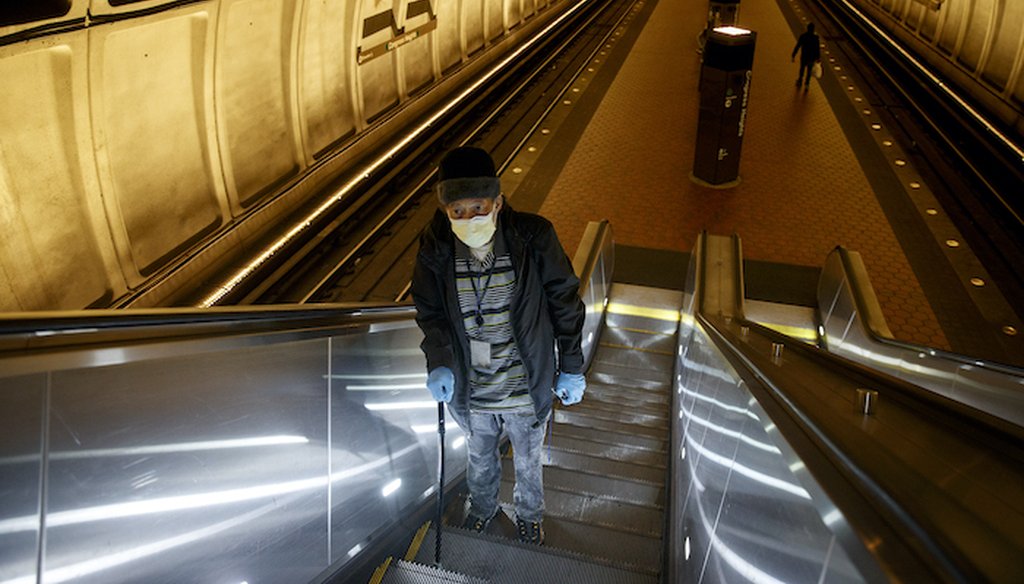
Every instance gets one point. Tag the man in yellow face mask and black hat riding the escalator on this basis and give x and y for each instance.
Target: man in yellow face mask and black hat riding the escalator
(495, 297)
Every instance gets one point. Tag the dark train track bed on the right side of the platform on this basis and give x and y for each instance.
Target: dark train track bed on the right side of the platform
(975, 172)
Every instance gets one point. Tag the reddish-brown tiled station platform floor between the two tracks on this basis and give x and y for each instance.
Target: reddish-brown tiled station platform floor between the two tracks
(819, 169)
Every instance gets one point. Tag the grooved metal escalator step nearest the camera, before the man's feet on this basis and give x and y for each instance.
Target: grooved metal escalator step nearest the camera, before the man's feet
(508, 562)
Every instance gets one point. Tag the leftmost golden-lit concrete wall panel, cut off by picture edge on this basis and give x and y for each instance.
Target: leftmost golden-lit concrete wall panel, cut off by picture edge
(49, 255)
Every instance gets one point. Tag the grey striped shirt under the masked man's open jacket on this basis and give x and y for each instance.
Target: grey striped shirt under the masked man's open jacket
(486, 288)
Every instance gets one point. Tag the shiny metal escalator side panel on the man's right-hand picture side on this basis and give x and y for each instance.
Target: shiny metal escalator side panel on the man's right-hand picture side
(745, 517)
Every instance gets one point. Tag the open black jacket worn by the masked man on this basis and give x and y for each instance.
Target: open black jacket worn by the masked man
(546, 308)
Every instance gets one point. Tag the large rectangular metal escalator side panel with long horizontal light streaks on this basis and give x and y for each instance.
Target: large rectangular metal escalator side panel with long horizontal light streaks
(200, 469)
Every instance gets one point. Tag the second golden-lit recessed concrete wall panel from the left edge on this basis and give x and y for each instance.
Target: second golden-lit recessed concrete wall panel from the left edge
(153, 135)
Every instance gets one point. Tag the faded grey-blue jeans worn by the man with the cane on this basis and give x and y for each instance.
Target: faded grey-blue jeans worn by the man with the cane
(485, 474)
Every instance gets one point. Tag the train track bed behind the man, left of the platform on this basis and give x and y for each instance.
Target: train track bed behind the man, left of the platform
(366, 251)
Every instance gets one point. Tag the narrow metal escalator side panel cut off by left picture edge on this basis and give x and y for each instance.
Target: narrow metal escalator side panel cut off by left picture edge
(21, 456)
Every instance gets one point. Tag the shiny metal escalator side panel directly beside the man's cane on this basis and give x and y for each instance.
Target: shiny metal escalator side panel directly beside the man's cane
(385, 435)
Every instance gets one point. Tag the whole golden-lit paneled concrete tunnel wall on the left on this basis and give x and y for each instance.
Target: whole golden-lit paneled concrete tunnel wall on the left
(147, 144)
